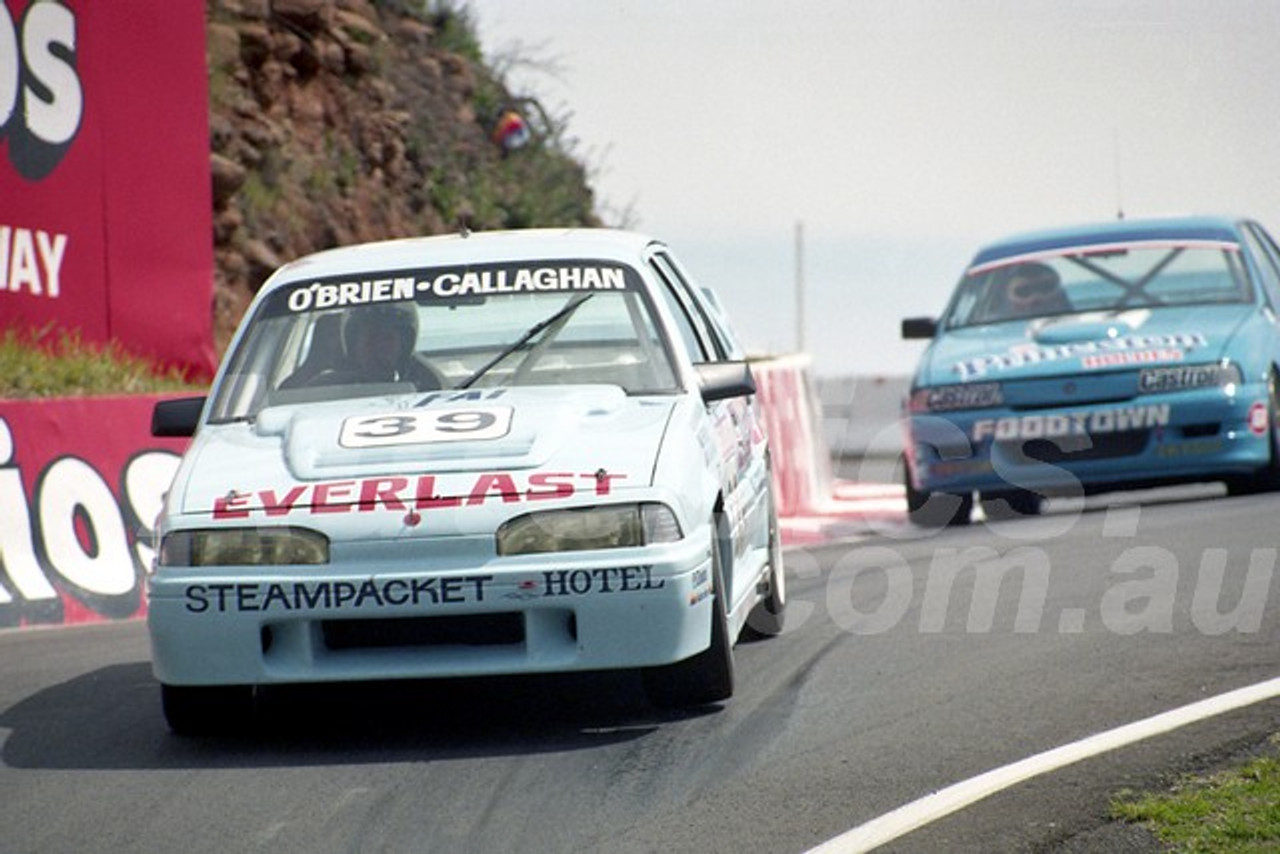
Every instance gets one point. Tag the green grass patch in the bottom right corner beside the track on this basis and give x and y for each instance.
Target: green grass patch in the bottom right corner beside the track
(1236, 811)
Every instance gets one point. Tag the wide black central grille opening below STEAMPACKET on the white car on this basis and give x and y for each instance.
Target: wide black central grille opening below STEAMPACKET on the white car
(468, 631)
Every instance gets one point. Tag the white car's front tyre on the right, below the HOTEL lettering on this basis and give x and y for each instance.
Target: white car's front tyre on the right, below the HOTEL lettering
(708, 677)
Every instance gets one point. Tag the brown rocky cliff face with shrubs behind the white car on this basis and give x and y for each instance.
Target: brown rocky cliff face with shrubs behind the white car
(345, 121)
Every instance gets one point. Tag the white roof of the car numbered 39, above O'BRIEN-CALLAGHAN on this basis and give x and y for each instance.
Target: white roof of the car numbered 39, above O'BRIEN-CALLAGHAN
(472, 248)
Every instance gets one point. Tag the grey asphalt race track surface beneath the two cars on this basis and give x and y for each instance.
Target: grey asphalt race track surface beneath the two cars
(889, 686)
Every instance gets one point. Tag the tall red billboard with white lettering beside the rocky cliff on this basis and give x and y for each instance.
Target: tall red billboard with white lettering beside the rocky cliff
(106, 199)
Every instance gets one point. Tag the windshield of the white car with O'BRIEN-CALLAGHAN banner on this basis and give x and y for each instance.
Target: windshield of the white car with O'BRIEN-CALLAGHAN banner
(546, 323)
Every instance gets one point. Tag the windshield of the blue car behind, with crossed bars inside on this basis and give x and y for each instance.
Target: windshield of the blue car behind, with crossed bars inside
(1100, 280)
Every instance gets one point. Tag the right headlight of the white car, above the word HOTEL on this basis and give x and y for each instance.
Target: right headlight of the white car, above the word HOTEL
(589, 528)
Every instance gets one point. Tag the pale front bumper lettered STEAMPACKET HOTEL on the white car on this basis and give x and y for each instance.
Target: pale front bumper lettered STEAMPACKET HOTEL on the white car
(383, 616)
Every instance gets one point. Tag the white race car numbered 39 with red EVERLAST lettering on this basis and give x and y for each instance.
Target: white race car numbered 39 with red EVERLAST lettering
(486, 454)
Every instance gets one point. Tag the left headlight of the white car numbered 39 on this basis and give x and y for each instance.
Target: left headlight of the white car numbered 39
(244, 547)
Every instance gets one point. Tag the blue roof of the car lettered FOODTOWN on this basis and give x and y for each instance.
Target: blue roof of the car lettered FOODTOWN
(1119, 231)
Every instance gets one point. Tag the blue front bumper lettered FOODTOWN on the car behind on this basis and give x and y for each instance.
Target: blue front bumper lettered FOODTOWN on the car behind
(1190, 436)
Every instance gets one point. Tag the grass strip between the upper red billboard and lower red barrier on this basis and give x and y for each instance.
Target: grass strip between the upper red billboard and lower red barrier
(63, 366)
